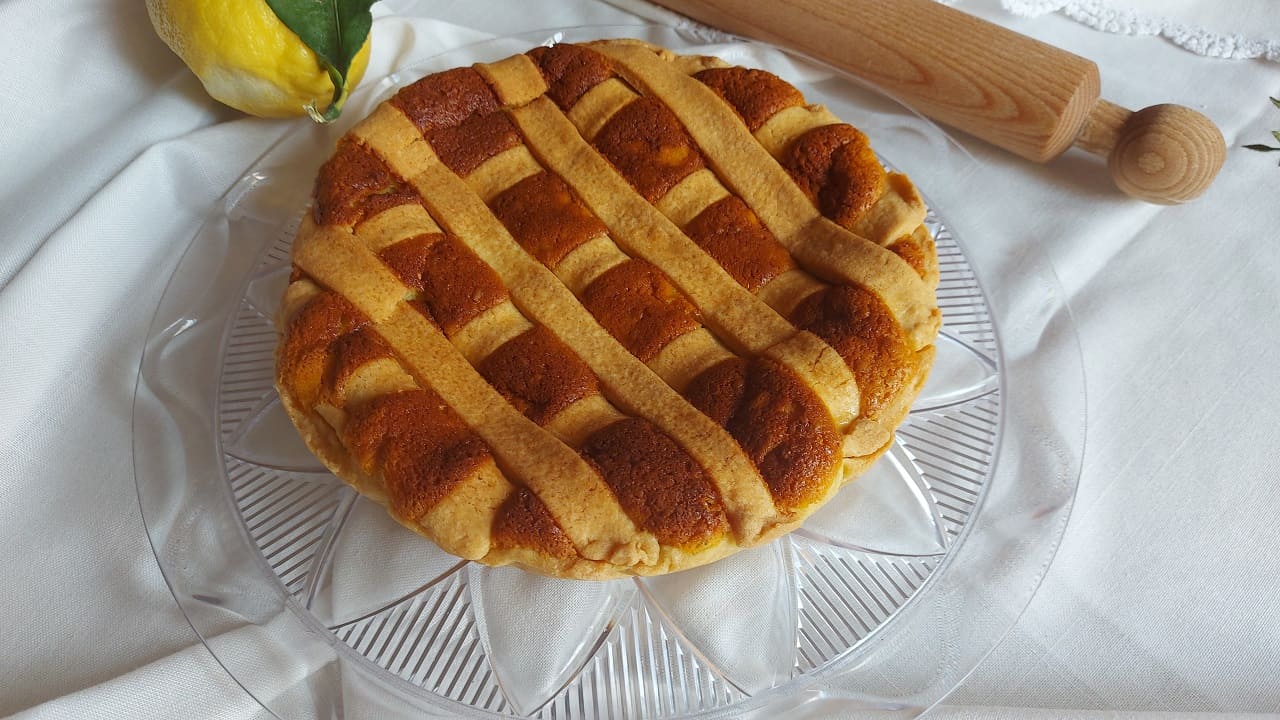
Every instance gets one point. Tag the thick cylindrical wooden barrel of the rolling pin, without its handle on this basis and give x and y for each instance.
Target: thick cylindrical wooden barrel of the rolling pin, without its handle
(1016, 93)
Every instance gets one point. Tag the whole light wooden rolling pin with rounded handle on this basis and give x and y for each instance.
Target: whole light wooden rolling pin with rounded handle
(1016, 93)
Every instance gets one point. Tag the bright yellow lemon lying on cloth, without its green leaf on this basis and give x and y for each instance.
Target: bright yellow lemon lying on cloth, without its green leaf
(248, 58)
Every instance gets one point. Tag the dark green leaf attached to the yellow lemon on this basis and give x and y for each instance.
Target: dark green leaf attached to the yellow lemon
(336, 30)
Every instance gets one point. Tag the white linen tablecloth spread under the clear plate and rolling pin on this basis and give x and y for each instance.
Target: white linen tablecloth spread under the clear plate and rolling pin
(1159, 601)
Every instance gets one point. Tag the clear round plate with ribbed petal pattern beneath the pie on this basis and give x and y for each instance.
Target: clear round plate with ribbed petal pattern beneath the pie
(322, 607)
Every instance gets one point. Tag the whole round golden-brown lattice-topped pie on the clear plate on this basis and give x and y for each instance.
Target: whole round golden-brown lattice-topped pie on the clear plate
(605, 311)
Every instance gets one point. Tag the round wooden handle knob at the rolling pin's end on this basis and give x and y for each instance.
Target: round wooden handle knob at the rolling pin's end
(1165, 154)
